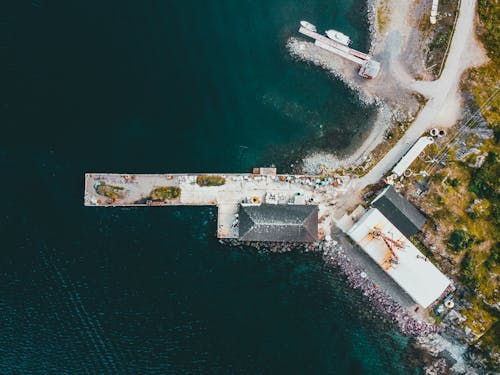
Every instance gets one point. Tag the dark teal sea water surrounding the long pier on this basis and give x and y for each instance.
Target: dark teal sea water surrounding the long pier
(168, 86)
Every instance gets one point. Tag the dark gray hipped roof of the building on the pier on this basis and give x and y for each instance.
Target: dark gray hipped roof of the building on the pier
(278, 223)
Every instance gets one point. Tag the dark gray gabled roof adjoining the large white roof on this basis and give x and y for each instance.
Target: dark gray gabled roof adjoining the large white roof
(401, 213)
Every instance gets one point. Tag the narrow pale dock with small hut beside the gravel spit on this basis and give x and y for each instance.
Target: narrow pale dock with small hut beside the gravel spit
(369, 67)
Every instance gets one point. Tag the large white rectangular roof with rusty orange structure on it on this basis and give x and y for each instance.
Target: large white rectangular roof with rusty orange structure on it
(411, 270)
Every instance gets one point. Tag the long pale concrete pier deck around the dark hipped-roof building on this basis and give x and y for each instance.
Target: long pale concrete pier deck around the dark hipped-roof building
(134, 190)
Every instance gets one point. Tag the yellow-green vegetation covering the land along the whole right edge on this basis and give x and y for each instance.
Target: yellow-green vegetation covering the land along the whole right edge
(462, 201)
